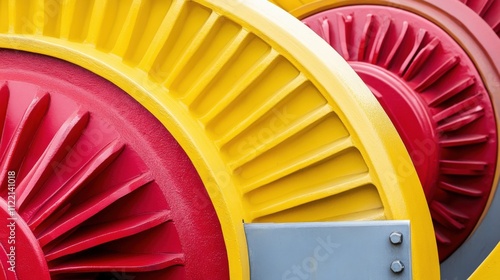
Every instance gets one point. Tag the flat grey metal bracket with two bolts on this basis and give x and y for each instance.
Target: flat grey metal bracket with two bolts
(329, 250)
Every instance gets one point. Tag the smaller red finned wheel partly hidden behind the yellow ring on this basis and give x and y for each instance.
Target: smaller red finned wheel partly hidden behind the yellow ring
(435, 97)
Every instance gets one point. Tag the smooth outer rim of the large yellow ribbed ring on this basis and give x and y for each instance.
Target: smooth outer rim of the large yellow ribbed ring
(398, 182)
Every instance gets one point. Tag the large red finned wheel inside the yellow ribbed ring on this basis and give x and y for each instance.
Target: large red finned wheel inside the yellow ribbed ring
(101, 190)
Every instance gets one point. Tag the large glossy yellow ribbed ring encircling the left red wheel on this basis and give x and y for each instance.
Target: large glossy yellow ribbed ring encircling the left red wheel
(275, 133)
